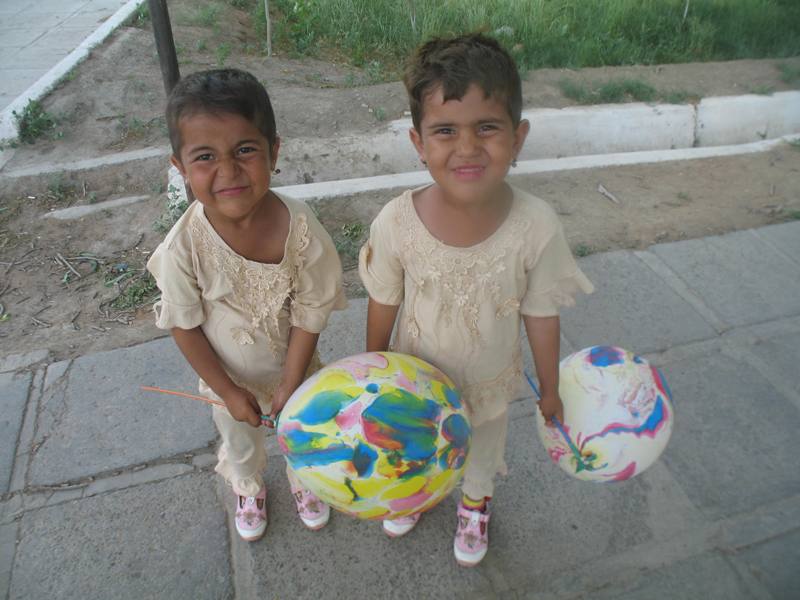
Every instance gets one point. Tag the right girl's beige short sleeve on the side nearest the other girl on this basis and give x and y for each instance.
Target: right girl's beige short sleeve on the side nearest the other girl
(378, 264)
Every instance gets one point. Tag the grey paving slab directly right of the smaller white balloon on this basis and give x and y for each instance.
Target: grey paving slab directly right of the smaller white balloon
(732, 448)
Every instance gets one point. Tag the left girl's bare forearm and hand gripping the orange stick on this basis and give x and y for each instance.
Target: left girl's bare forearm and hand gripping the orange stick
(194, 345)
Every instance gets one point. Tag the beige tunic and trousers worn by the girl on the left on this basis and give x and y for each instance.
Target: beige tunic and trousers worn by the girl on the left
(246, 309)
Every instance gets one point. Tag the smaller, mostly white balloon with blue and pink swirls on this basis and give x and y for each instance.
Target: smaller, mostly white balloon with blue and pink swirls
(617, 415)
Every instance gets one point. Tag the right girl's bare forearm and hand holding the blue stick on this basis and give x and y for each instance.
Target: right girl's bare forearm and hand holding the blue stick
(544, 338)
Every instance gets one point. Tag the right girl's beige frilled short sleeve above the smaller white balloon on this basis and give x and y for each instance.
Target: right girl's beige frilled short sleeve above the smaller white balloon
(554, 279)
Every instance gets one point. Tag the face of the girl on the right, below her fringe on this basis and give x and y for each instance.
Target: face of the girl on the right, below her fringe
(468, 144)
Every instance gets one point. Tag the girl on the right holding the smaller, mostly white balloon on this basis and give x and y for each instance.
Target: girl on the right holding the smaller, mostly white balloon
(465, 259)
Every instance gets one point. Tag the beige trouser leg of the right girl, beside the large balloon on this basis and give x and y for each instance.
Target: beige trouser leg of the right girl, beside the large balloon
(486, 458)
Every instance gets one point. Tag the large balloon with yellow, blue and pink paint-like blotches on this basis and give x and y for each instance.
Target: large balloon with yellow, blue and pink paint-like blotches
(378, 435)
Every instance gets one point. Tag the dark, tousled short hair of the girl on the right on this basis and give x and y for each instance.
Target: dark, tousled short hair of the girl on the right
(455, 64)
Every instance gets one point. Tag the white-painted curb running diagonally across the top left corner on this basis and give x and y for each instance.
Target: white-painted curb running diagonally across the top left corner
(8, 125)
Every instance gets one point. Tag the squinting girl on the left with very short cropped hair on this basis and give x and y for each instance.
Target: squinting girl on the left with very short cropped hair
(247, 278)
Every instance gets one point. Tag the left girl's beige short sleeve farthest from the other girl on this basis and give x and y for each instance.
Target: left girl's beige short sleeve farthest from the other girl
(181, 304)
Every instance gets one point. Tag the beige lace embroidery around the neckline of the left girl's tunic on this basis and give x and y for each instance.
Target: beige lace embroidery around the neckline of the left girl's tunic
(259, 289)
